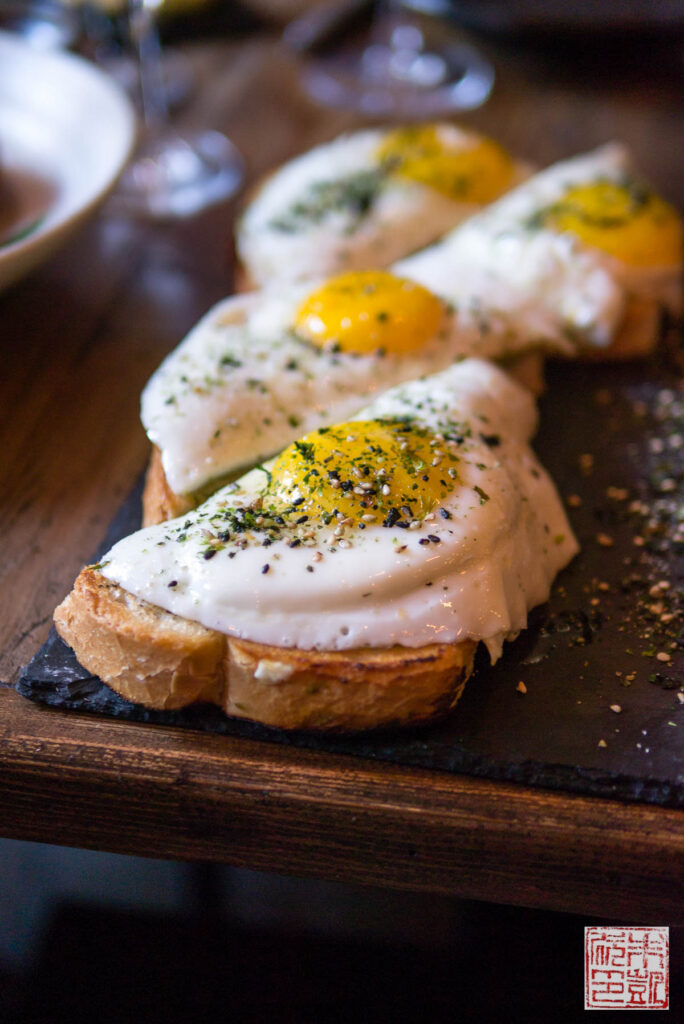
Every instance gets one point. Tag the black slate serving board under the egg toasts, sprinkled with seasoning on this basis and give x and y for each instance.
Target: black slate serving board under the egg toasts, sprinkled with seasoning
(601, 713)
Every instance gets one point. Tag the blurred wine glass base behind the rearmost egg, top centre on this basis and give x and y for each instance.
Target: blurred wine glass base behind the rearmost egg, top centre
(409, 66)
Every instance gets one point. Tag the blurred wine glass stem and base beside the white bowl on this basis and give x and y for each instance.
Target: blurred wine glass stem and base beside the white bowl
(173, 175)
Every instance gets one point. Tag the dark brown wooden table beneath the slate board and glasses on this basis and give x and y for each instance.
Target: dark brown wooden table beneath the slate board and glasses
(79, 339)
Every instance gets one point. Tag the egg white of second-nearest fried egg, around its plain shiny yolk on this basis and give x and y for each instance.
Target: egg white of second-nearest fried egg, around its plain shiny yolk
(210, 417)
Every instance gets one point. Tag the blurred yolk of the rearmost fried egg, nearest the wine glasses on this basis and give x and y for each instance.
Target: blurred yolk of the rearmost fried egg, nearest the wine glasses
(473, 172)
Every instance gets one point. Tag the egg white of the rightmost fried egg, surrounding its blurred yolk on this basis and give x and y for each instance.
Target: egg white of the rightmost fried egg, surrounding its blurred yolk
(505, 270)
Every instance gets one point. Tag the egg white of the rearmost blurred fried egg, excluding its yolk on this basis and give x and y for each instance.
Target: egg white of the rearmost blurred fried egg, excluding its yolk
(403, 216)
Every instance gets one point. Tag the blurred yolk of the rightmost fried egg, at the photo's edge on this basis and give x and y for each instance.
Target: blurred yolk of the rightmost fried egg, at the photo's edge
(625, 221)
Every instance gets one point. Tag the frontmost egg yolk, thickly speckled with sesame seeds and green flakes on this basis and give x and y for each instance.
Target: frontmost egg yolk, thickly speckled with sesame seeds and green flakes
(384, 472)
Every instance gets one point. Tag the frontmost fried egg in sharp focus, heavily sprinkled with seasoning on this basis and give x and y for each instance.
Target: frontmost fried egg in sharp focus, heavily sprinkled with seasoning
(424, 519)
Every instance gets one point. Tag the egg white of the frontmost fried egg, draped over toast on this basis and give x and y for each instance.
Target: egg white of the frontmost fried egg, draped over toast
(474, 571)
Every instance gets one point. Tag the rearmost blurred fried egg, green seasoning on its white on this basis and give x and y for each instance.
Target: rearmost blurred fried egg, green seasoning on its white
(370, 198)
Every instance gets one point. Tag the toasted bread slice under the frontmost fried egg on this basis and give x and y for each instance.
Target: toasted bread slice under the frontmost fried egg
(162, 661)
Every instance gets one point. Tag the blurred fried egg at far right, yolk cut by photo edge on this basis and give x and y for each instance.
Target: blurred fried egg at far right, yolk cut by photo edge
(561, 258)
